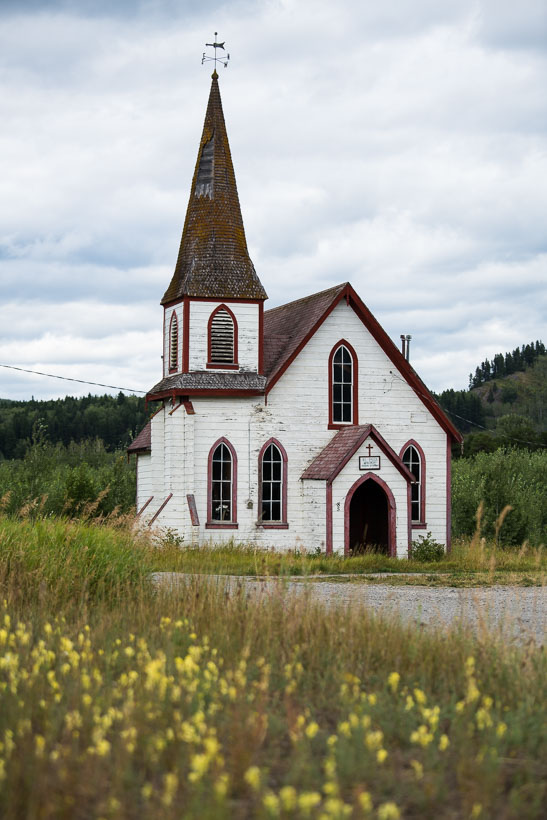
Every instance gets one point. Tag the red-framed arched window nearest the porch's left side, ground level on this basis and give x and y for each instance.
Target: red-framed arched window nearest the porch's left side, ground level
(272, 466)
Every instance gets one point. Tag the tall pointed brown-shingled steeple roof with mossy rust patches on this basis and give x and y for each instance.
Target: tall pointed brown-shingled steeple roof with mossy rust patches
(213, 259)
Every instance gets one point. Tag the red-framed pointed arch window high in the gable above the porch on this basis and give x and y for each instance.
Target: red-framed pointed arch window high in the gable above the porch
(343, 385)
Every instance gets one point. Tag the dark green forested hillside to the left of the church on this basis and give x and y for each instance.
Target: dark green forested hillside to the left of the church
(115, 420)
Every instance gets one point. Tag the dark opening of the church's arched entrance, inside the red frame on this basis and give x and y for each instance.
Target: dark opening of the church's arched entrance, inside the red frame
(369, 519)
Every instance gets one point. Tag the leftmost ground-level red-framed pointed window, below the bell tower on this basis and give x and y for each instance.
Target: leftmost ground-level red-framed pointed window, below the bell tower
(222, 486)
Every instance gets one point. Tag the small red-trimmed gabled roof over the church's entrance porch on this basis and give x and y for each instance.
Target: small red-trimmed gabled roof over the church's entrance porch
(334, 457)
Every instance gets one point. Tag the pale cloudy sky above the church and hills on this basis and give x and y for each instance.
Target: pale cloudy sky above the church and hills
(400, 146)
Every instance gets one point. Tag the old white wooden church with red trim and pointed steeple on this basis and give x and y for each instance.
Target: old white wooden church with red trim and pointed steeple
(303, 426)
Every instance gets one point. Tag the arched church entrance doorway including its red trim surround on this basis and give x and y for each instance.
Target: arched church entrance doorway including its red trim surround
(370, 517)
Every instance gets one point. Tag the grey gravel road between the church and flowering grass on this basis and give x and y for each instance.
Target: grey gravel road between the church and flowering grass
(521, 612)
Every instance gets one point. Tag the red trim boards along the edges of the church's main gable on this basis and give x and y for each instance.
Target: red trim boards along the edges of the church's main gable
(389, 348)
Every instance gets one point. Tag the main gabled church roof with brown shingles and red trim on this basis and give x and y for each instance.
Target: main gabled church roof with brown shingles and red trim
(288, 328)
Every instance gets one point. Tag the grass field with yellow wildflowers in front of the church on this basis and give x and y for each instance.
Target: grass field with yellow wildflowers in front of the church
(120, 702)
